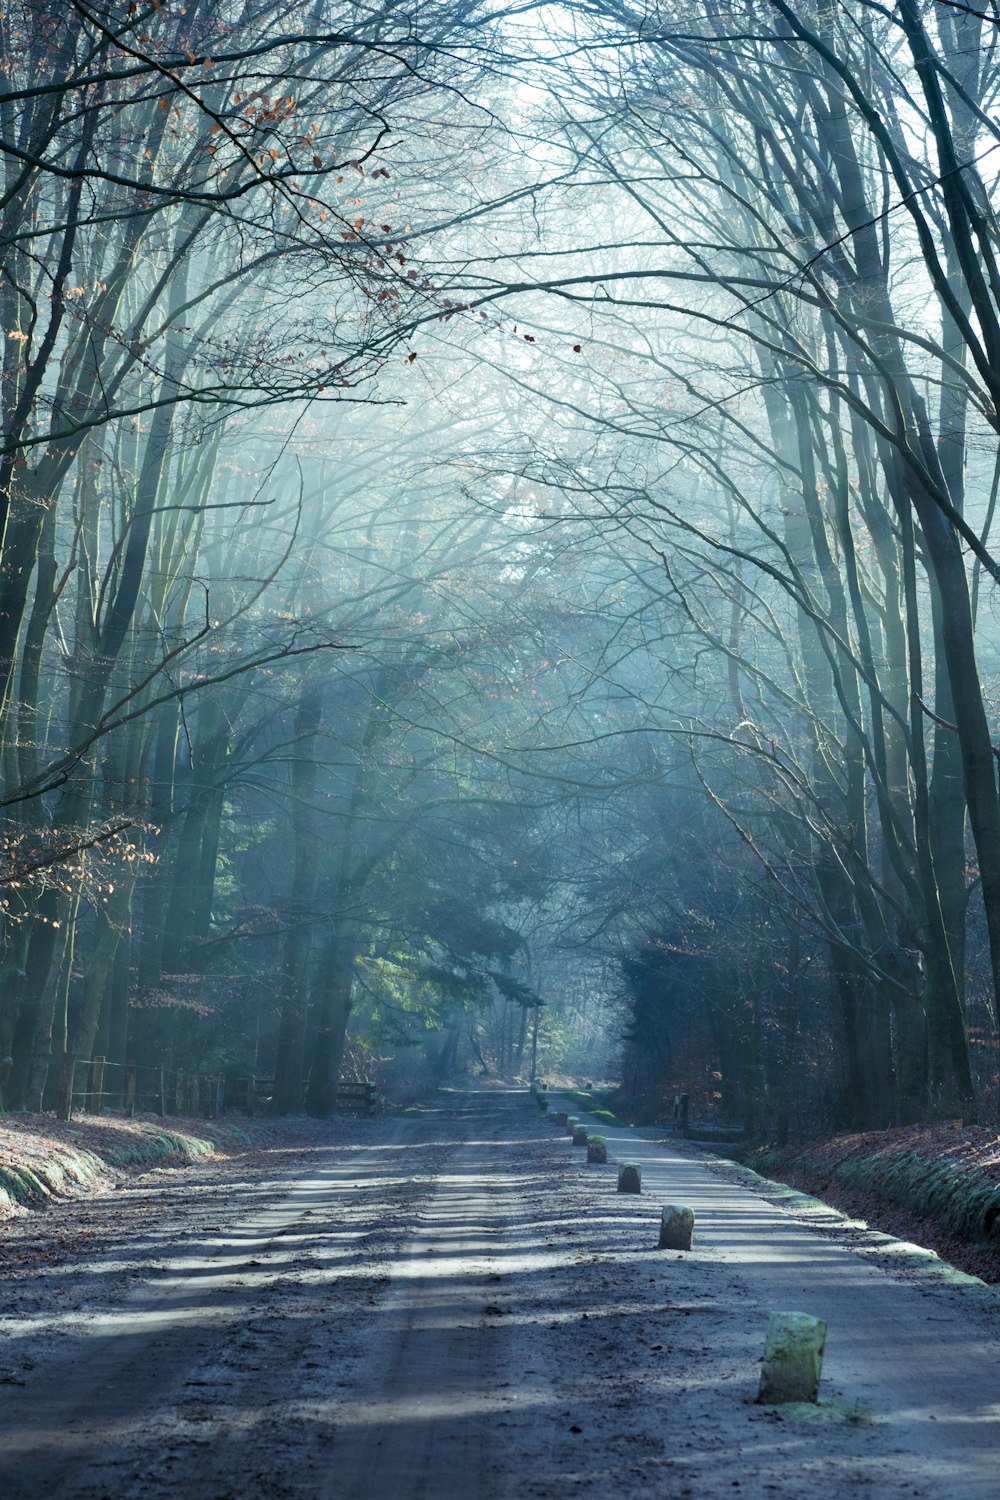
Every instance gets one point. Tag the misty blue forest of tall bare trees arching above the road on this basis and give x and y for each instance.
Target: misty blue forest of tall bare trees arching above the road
(497, 557)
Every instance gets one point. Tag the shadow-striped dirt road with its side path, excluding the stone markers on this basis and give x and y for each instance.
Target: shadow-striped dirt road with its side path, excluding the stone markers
(457, 1306)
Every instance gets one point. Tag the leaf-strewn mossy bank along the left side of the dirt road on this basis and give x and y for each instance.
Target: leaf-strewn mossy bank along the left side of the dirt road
(44, 1159)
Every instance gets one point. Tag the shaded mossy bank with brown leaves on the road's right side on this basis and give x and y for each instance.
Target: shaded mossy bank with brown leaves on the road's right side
(938, 1186)
